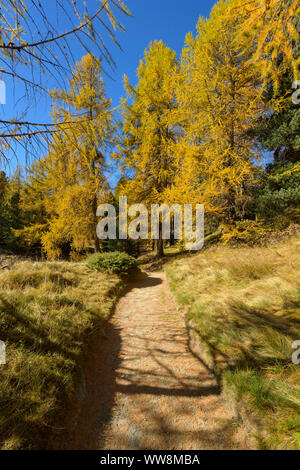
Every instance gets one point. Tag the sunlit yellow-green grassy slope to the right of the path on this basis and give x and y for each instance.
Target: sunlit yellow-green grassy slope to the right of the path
(244, 303)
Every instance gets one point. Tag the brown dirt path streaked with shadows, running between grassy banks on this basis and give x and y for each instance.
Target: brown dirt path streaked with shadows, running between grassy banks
(146, 390)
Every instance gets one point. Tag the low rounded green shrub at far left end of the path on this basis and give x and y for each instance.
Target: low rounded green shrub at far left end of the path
(113, 262)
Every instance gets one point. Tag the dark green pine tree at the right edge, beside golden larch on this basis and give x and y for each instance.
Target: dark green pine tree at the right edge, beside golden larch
(279, 195)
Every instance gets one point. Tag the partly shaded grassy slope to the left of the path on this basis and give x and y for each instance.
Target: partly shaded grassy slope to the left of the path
(48, 314)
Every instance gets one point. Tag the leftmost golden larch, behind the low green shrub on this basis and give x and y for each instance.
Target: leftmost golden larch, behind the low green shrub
(73, 180)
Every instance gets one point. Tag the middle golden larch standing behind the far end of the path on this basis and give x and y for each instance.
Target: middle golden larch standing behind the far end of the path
(146, 146)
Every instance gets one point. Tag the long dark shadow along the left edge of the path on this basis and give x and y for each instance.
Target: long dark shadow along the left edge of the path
(86, 420)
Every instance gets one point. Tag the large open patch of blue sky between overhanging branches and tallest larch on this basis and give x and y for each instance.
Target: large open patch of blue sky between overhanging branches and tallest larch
(169, 20)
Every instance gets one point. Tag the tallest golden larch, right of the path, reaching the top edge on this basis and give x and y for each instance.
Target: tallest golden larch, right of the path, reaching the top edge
(219, 95)
